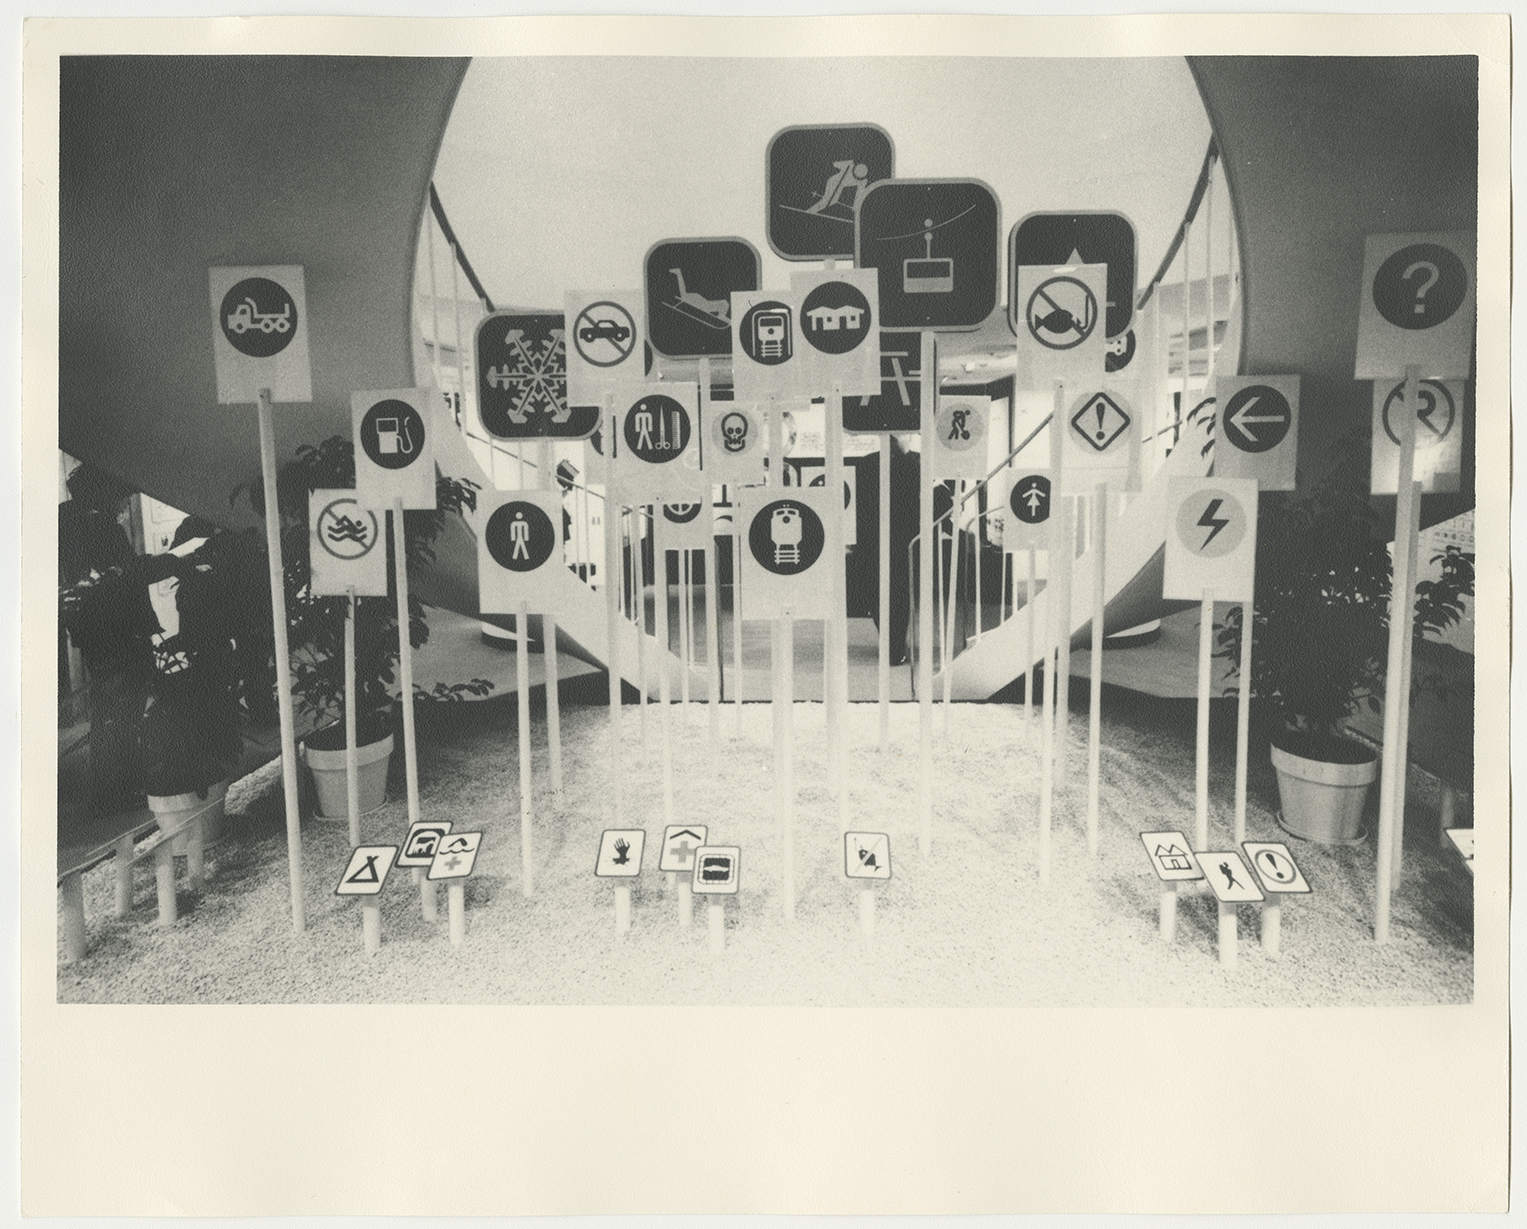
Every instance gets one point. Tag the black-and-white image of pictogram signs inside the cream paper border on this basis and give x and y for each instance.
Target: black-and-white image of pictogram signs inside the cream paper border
(741, 531)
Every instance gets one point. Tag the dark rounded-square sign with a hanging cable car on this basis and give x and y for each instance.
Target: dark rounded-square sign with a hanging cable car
(937, 247)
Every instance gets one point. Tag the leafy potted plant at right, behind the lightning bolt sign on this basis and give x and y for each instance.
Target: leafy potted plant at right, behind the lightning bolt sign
(1320, 642)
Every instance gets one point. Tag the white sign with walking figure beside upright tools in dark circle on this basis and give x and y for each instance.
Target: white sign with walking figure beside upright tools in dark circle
(657, 445)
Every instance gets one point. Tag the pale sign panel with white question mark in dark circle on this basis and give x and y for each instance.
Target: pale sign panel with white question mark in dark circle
(1418, 306)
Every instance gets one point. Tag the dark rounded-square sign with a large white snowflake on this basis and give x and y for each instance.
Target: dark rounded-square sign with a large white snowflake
(523, 379)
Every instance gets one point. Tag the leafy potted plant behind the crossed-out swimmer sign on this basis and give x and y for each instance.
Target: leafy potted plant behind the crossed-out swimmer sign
(317, 631)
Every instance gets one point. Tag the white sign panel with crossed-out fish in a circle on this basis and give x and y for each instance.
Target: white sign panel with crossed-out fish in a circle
(1062, 324)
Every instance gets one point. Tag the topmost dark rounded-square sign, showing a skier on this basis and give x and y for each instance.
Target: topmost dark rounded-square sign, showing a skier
(815, 176)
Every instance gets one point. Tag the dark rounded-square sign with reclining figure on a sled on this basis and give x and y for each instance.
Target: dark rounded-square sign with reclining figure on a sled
(689, 286)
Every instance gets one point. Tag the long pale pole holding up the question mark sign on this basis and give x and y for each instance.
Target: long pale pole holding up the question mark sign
(1401, 598)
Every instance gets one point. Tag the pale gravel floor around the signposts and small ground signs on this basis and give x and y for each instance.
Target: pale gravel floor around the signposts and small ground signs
(967, 926)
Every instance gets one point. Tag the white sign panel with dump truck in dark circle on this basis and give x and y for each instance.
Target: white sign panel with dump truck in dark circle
(260, 334)
